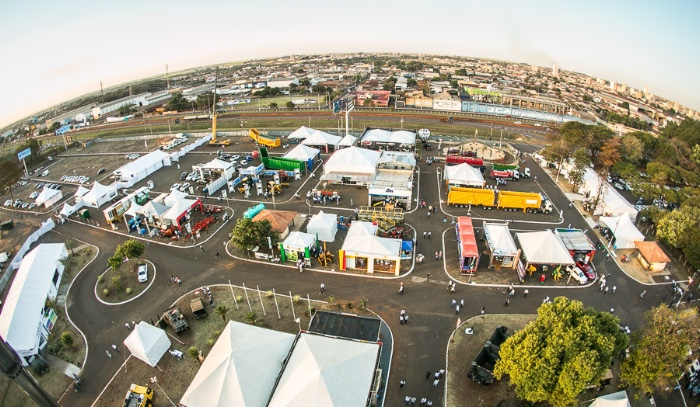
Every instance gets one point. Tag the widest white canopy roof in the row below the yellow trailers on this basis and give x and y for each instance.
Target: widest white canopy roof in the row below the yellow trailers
(544, 248)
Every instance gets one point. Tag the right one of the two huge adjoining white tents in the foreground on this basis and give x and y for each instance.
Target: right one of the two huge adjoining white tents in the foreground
(325, 371)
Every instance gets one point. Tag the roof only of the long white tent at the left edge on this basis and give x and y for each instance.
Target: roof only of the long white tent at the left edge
(22, 312)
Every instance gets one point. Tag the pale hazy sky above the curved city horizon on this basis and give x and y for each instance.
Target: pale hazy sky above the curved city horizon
(55, 51)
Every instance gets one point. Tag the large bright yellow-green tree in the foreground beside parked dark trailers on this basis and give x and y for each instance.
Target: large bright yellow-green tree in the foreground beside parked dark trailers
(555, 357)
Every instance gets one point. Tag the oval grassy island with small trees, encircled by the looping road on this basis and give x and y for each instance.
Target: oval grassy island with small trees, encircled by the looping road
(115, 286)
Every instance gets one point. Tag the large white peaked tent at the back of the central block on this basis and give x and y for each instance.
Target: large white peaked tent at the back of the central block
(357, 164)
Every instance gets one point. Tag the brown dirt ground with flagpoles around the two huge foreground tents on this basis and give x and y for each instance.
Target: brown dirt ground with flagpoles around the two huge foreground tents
(175, 376)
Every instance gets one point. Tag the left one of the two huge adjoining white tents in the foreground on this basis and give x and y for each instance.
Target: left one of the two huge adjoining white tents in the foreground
(241, 368)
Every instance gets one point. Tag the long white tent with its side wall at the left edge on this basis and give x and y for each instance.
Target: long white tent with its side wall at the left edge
(25, 321)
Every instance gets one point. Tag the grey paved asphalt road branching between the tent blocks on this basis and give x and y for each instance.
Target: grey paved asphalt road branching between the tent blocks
(419, 346)
